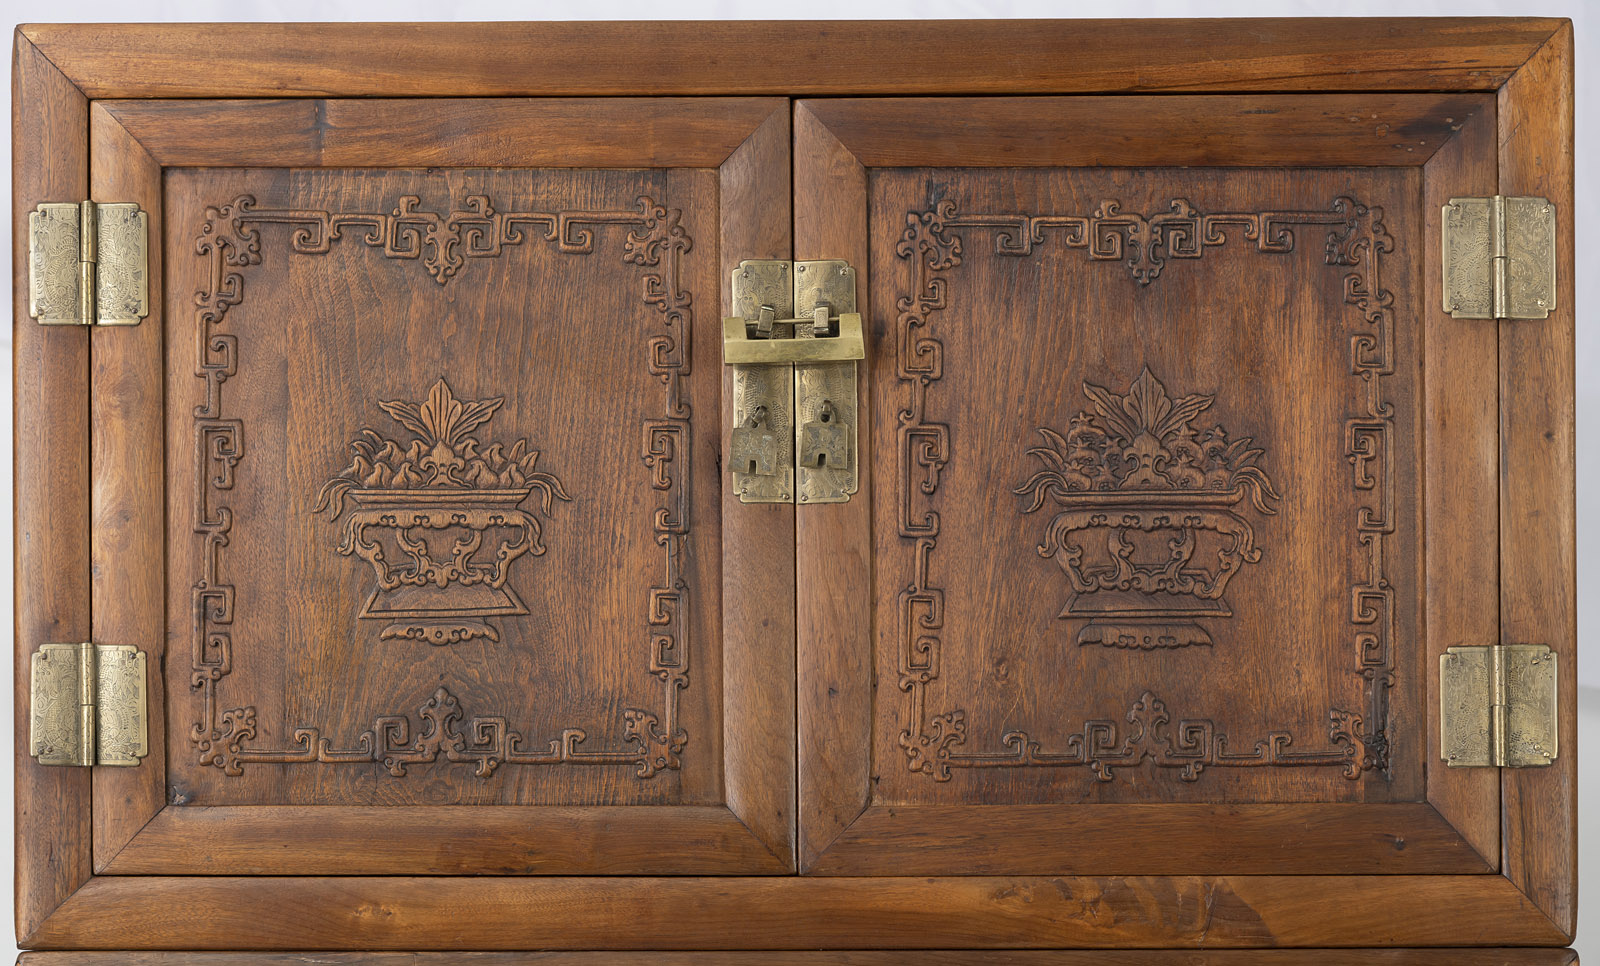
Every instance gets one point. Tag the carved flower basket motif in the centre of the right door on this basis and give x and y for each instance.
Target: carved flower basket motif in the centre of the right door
(1150, 529)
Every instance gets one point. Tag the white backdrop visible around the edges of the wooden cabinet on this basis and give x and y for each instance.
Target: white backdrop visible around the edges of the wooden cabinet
(1586, 18)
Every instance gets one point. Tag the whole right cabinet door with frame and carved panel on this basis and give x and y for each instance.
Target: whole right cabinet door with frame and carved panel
(1182, 482)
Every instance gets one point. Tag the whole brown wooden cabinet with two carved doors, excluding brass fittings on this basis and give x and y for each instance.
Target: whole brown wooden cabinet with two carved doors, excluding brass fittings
(1177, 479)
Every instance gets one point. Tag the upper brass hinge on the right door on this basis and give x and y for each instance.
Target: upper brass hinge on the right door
(1500, 258)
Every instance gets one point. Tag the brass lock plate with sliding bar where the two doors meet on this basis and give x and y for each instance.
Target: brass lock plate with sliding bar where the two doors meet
(793, 345)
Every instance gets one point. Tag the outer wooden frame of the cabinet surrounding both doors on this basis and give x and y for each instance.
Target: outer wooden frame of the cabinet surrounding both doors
(62, 71)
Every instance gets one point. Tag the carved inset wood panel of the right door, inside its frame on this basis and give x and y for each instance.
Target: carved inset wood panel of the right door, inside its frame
(1151, 522)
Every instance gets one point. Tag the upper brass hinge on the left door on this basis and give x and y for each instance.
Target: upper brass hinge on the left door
(89, 265)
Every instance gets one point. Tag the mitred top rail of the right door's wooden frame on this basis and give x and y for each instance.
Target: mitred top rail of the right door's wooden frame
(1266, 130)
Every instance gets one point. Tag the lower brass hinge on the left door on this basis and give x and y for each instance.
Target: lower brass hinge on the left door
(89, 706)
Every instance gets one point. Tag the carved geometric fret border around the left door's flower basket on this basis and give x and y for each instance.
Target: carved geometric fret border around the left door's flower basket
(231, 241)
